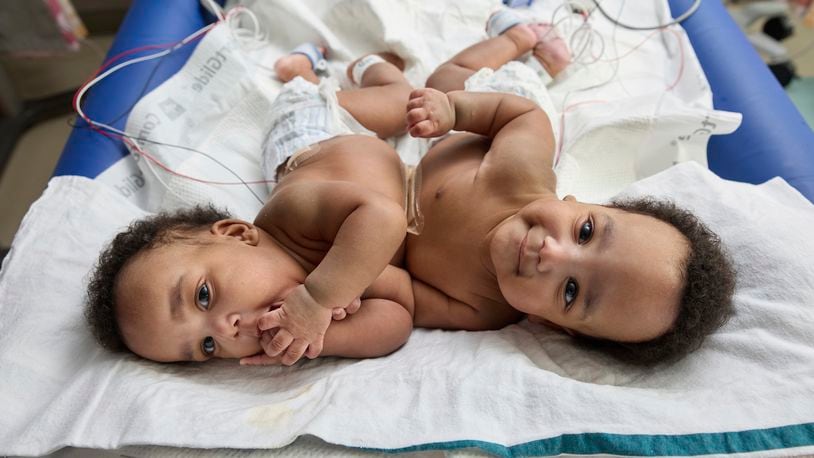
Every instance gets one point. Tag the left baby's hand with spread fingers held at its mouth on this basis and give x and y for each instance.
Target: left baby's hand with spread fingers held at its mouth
(302, 323)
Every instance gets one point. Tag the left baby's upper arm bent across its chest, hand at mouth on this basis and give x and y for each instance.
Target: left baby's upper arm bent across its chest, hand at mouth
(363, 230)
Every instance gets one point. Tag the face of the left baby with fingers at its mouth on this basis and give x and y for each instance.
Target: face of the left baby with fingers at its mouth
(194, 301)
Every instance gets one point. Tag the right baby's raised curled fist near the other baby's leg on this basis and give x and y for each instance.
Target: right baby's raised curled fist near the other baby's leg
(429, 113)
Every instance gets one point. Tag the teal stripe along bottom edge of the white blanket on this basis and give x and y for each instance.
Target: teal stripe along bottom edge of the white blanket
(753, 440)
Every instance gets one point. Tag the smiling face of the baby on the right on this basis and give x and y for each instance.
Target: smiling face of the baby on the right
(590, 269)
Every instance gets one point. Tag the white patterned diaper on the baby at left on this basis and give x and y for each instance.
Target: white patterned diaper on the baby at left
(304, 114)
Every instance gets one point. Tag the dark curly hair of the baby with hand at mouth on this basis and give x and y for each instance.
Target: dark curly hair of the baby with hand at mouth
(145, 234)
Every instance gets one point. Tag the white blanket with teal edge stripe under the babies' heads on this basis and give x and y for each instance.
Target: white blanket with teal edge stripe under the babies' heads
(524, 389)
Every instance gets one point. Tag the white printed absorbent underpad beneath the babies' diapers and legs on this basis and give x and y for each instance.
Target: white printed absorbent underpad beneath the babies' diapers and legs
(641, 105)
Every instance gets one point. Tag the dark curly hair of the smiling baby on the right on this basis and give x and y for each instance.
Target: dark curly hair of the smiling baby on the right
(706, 298)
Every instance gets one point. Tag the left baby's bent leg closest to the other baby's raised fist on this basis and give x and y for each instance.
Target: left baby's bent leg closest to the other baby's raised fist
(383, 93)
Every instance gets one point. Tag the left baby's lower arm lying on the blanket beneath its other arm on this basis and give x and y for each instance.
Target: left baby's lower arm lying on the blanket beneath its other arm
(381, 325)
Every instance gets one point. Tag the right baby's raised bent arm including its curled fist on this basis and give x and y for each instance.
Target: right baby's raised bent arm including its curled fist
(522, 141)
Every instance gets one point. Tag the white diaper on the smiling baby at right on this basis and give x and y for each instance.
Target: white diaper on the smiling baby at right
(518, 79)
